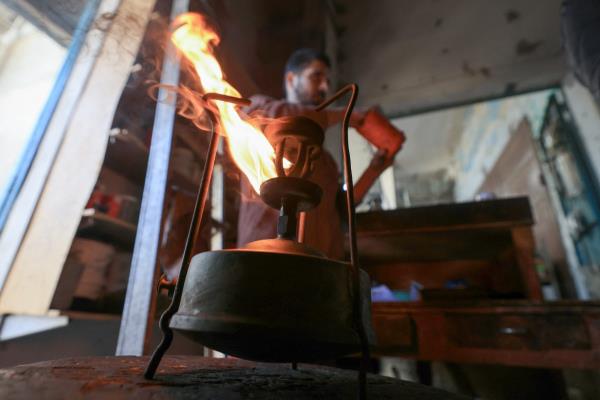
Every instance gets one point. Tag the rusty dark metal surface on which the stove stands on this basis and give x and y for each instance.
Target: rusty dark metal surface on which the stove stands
(187, 377)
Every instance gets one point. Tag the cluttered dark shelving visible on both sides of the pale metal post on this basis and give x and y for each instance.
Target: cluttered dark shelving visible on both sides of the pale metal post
(96, 269)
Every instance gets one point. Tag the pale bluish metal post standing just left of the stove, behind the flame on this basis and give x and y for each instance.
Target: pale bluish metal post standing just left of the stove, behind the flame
(138, 313)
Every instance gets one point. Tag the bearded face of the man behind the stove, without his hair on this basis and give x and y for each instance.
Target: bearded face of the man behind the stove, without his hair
(311, 85)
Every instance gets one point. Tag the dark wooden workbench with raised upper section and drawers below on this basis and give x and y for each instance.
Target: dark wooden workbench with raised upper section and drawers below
(490, 246)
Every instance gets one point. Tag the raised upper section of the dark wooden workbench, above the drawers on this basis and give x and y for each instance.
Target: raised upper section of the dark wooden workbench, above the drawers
(490, 244)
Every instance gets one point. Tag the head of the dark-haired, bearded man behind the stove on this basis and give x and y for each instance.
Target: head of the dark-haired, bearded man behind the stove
(306, 78)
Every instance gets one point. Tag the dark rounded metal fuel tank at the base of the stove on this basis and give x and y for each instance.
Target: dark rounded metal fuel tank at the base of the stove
(274, 307)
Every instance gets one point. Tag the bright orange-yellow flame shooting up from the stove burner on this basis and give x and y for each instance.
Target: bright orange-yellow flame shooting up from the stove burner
(249, 148)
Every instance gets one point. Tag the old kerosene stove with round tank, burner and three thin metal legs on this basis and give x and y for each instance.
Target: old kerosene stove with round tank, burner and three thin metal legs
(275, 300)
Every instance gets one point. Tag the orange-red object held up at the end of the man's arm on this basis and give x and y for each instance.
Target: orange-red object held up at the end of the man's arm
(378, 130)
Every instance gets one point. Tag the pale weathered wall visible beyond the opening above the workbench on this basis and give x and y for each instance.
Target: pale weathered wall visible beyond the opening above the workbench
(448, 153)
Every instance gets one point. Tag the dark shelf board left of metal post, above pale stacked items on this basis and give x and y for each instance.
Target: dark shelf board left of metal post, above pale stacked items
(96, 225)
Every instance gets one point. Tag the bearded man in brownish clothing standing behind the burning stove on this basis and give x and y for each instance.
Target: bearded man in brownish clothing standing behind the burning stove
(307, 84)
